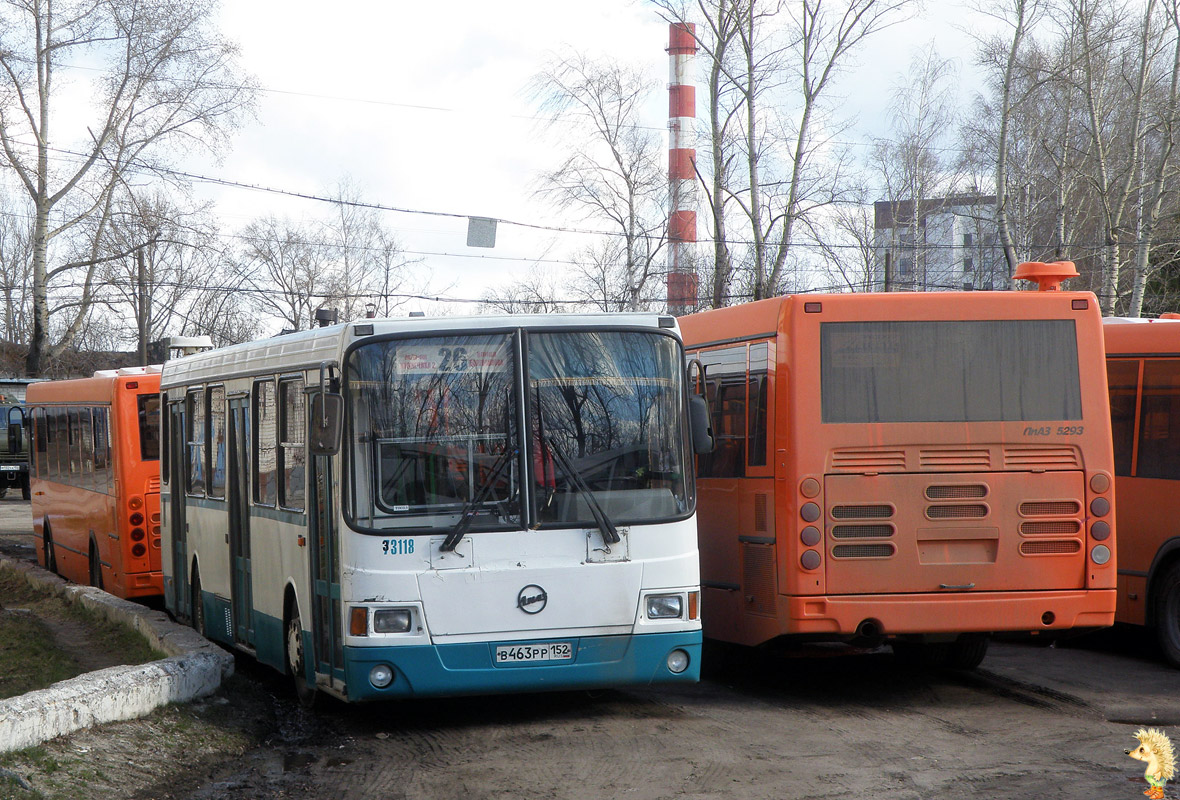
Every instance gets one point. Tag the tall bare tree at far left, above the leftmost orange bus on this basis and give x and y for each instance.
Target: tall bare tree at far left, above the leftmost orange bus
(167, 81)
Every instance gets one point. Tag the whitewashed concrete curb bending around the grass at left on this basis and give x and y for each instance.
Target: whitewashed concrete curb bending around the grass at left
(195, 668)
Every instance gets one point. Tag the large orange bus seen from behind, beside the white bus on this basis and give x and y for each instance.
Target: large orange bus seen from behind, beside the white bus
(921, 470)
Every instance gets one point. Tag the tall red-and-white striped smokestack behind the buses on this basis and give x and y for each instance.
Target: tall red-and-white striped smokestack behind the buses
(681, 174)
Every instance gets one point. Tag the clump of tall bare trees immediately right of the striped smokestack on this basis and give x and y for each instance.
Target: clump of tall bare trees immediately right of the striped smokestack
(775, 169)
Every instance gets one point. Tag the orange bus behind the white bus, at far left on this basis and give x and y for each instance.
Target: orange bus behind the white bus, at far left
(95, 480)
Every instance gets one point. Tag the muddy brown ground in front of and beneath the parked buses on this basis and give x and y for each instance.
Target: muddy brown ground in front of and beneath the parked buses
(821, 724)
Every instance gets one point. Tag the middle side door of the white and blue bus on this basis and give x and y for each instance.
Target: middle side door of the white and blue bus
(238, 478)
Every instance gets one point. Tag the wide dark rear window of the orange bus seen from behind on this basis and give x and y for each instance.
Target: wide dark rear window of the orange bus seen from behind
(941, 371)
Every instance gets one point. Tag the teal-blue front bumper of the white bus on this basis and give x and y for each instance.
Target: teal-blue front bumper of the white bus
(467, 670)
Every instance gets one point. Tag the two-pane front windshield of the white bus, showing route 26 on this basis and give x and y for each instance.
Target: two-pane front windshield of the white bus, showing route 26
(435, 435)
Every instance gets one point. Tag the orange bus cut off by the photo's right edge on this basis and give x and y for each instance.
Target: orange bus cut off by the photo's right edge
(1144, 375)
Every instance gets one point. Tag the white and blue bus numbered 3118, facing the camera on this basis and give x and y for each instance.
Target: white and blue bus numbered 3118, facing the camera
(422, 508)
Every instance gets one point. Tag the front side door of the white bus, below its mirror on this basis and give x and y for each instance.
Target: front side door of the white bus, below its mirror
(326, 621)
